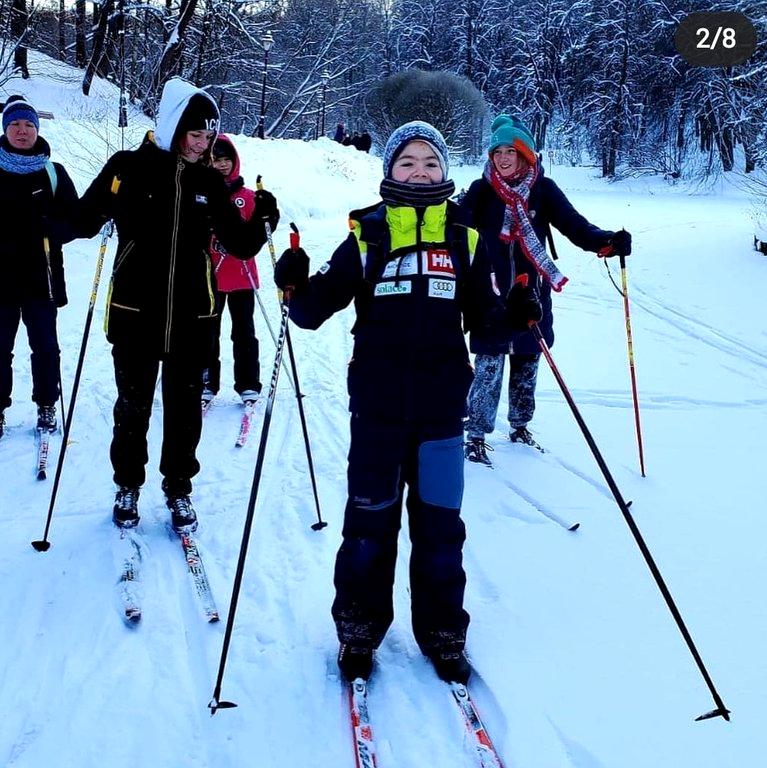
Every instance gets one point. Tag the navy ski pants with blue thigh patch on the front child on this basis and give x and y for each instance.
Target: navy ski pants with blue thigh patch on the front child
(384, 457)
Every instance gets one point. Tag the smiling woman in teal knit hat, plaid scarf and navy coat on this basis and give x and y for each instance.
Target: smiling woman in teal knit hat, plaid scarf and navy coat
(513, 206)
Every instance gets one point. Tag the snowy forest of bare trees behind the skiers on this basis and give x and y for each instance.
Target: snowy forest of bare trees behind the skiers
(598, 81)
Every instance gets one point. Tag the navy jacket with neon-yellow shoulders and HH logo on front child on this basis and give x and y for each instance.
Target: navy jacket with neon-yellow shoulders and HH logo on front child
(410, 360)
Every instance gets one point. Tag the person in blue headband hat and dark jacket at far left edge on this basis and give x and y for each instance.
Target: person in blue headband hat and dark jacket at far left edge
(37, 197)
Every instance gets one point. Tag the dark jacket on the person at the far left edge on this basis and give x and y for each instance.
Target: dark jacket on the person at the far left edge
(30, 213)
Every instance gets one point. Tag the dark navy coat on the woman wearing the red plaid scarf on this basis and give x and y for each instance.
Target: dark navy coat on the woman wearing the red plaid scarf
(547, 205)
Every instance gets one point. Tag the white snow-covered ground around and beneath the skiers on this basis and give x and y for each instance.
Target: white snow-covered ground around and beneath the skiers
(579, 662)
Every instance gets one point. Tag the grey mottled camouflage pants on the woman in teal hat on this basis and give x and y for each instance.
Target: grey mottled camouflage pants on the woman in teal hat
(485, 393)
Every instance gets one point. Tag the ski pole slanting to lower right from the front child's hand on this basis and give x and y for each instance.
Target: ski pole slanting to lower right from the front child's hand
(721, 710)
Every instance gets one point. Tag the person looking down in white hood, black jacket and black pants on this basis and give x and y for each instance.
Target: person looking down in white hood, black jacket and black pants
(165, 201)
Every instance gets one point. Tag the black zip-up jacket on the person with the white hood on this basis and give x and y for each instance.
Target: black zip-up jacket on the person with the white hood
(162, 291)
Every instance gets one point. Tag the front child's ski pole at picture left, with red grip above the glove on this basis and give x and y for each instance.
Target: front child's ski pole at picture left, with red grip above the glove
(215, 703)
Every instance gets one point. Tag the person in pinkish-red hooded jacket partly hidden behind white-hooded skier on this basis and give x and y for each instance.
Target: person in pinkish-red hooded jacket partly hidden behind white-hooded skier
(237, 282)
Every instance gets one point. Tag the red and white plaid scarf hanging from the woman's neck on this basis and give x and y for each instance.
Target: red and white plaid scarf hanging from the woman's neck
(517, 227)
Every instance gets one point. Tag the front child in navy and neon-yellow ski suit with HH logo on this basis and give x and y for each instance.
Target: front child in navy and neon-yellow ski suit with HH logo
(416, 274)
